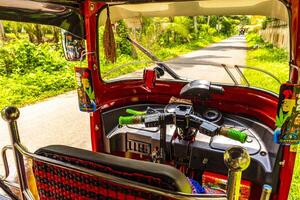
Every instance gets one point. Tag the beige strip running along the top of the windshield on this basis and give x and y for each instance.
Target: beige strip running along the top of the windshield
(132, 9)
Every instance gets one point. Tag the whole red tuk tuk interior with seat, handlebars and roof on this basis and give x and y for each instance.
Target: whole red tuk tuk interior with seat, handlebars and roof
(159, 135)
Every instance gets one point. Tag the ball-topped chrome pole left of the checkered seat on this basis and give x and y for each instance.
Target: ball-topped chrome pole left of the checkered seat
(11, 114)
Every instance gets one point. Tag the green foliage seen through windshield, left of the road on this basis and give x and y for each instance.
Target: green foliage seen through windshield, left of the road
(166, 37)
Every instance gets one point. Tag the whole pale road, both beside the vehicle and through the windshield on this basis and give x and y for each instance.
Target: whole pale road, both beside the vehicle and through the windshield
(58, 120)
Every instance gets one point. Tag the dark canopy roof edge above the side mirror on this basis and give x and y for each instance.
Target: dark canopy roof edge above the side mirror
(61, 13)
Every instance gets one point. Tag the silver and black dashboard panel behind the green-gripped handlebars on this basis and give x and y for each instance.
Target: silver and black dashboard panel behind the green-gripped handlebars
(201, 153)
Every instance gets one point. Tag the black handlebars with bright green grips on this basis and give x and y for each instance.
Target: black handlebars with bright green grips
(206, 127)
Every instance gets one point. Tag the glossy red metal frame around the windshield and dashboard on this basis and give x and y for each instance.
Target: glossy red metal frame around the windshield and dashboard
(242, 100)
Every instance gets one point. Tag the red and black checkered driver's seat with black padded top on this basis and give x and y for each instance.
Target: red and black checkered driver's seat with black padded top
(55, 182)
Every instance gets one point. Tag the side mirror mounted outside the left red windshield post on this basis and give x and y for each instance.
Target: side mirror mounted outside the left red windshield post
(74, 46)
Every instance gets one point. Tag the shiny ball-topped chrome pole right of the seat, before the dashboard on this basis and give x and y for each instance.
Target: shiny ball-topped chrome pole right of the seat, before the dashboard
(237, 160)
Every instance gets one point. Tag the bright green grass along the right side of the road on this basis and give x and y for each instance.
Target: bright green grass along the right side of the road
(274, 60)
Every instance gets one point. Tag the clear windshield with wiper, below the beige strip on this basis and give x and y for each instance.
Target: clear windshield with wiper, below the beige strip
(221, 49)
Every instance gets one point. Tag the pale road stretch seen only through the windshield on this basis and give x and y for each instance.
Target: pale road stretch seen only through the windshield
(205, 63)
